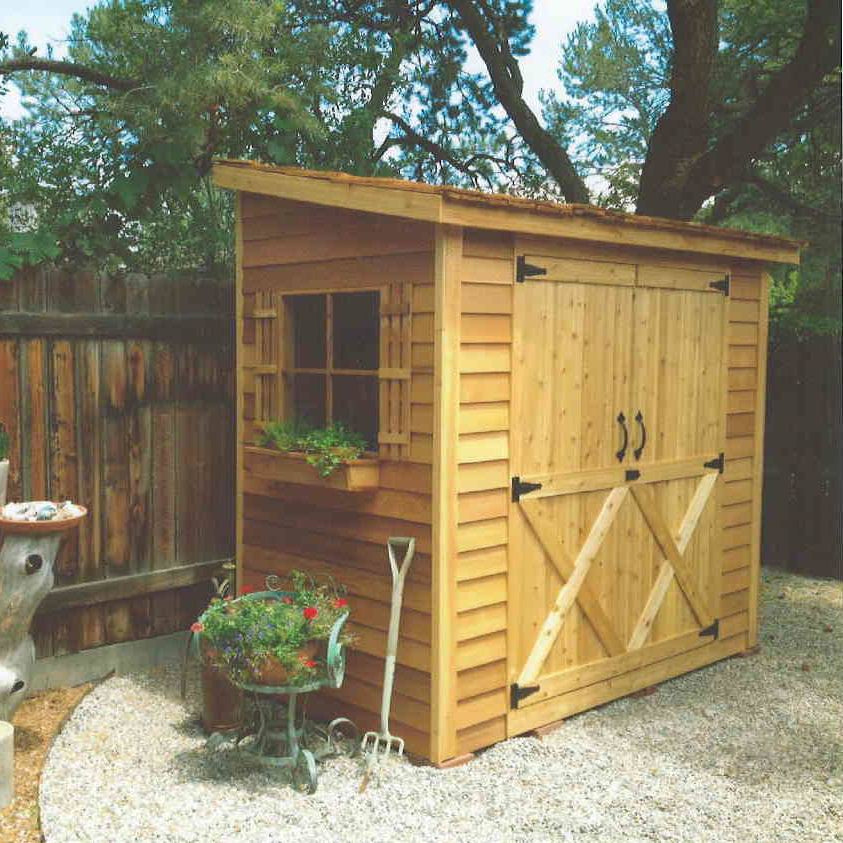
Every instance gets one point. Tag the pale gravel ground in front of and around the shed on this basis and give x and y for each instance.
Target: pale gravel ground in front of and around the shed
(746, 750)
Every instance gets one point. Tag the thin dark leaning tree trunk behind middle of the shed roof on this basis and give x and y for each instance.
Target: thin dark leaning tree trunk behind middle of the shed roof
(506, 80)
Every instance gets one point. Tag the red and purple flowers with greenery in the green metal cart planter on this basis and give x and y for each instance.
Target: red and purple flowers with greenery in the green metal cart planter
(274, 638)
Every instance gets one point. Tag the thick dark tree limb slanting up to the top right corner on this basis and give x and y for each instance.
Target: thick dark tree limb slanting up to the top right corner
(817, 55)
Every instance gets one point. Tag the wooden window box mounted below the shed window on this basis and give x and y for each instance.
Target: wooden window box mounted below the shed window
(360, 475)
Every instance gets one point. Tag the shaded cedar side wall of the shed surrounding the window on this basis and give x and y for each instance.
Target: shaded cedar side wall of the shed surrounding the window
(292, 248)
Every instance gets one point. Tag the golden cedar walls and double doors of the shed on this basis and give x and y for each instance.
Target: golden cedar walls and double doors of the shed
(643, 330)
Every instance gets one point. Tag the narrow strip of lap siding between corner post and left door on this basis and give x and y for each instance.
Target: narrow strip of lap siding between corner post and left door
(483, 489)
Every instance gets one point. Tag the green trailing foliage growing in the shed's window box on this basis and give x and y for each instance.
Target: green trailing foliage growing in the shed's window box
(325, 448)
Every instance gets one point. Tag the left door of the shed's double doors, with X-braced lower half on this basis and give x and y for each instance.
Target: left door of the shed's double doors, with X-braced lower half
(572, 358)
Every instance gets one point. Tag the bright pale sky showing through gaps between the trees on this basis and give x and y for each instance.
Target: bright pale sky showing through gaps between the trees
(47, 22)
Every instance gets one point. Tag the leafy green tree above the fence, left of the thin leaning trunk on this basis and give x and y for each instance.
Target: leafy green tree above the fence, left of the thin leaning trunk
(115, 151)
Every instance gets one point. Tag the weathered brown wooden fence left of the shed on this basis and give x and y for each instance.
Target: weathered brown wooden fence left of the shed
(117, 392)
